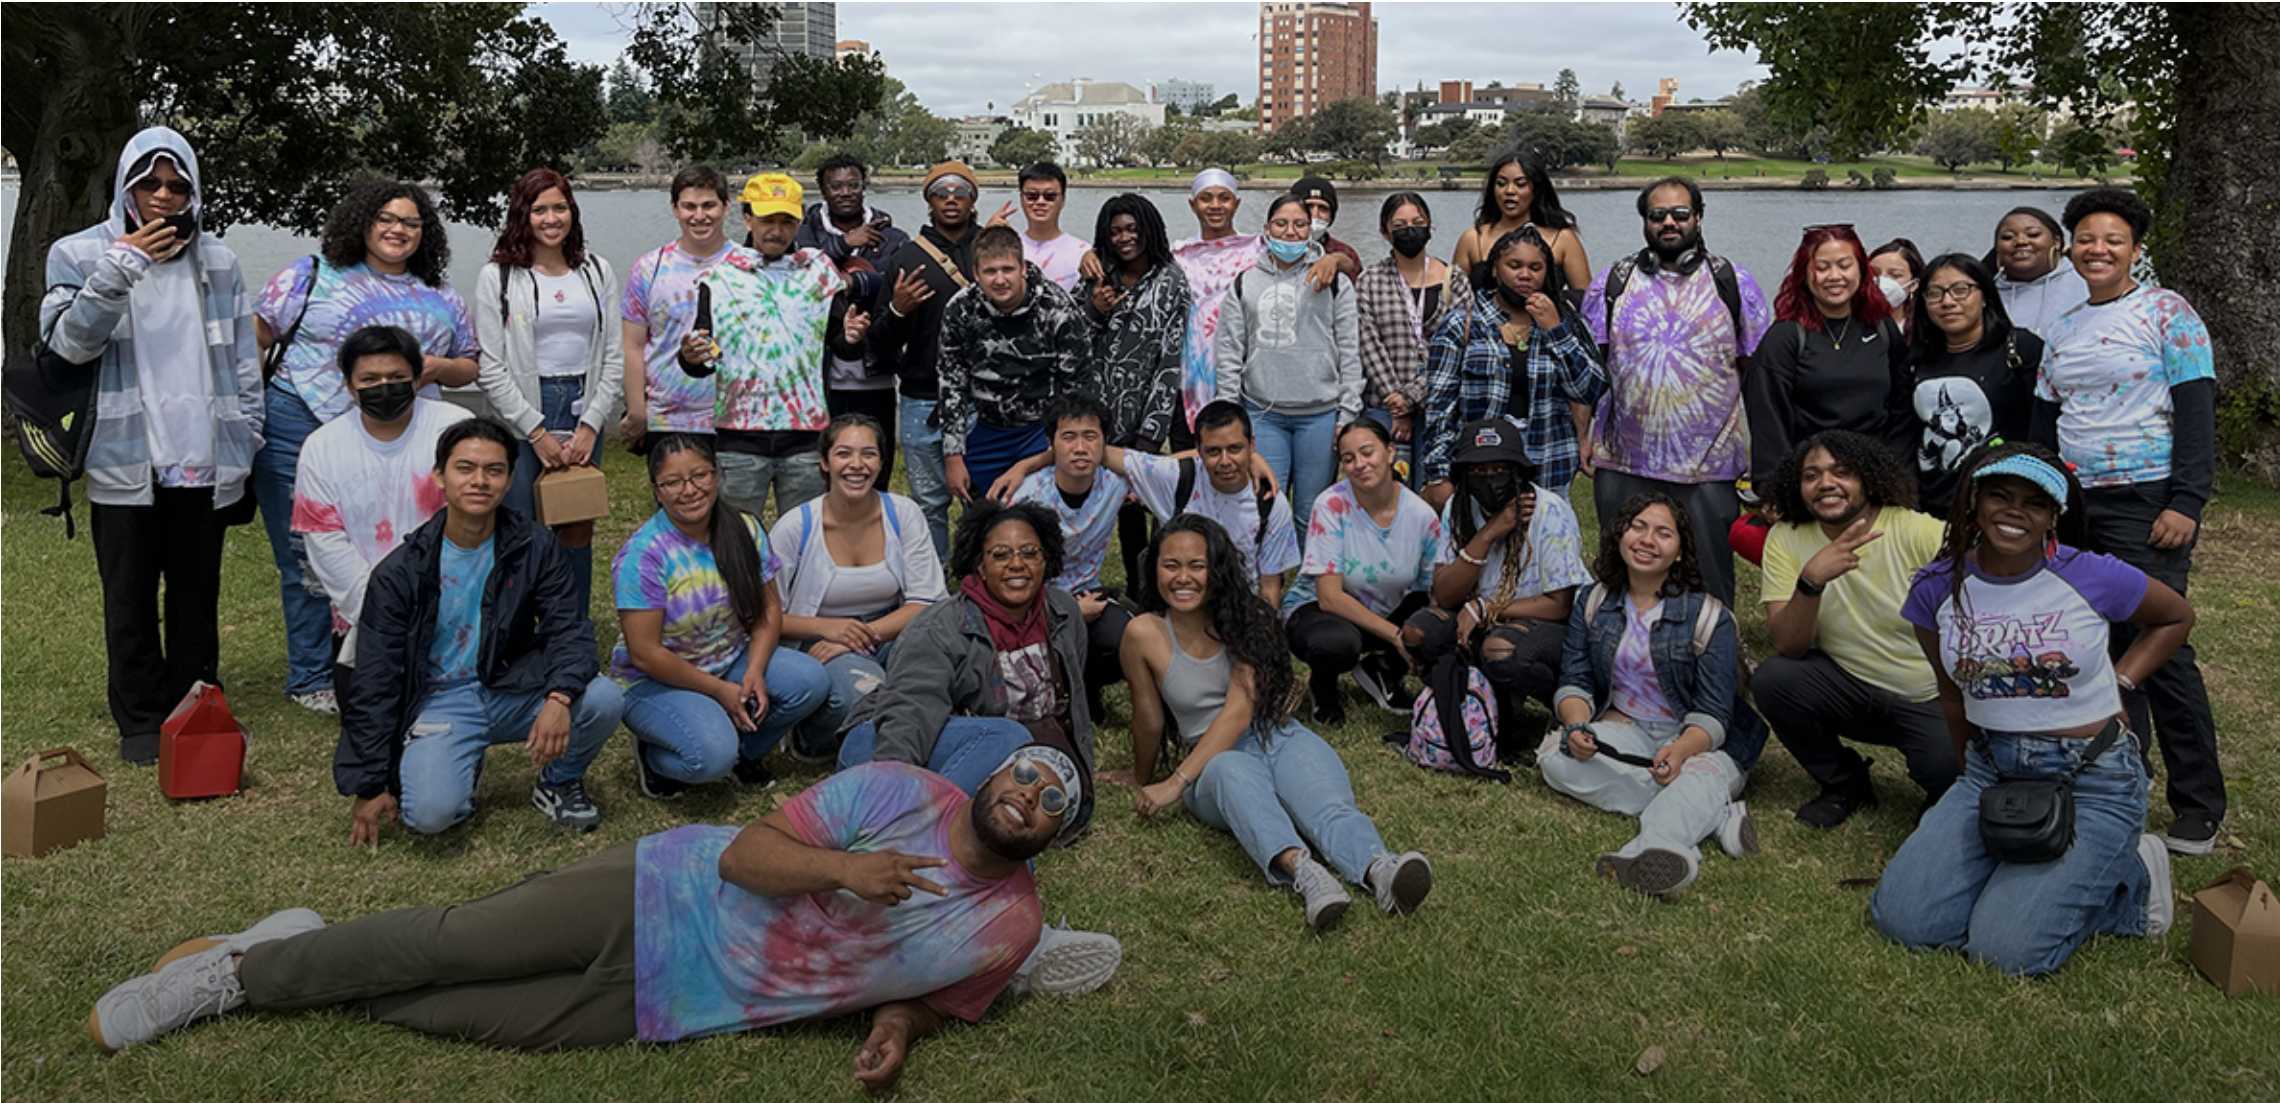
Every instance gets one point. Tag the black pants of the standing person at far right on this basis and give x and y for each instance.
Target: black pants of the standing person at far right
(2174, 703)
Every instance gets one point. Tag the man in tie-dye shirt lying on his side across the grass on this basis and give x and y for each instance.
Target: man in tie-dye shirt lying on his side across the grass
(881, 888)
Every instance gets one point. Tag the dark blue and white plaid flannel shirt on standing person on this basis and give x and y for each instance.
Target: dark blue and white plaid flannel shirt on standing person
(1469, 377)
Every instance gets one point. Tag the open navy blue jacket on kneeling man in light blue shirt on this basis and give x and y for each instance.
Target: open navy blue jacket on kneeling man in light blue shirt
(532, 639)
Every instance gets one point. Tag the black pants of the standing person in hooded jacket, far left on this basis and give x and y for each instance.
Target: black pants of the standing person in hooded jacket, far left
(154, 660)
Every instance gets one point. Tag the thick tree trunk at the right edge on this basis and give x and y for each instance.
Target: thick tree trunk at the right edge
(2222, 179)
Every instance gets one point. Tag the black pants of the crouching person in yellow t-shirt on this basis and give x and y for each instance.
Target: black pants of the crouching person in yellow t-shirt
(1816, 705)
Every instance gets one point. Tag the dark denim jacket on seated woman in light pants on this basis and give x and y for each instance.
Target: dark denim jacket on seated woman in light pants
(1700, 689)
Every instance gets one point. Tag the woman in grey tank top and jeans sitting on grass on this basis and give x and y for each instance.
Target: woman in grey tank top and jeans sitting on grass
(1212, 655)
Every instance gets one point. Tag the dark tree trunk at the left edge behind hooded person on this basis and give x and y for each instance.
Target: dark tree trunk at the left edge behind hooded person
(74, 111)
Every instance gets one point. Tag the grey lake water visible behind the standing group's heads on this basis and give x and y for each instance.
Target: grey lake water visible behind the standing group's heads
(1754, 229)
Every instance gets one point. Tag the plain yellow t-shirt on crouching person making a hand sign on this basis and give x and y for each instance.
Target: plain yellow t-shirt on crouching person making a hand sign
(1859, 623)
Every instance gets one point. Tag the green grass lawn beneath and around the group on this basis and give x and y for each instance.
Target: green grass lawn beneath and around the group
(1522, 979)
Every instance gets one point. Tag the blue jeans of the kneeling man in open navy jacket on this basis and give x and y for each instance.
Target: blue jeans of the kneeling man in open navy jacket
(443, 755)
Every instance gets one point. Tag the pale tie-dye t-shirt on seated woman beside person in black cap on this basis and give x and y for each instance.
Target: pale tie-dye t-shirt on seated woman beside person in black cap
(1376, 566)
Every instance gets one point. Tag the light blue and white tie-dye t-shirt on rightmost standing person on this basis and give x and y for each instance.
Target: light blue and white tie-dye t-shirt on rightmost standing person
(2110, 368)
